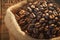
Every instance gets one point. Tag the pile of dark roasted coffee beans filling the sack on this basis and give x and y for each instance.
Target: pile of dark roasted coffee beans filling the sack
(40, 19)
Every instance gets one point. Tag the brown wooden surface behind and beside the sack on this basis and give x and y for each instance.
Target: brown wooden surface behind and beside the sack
(4, 4)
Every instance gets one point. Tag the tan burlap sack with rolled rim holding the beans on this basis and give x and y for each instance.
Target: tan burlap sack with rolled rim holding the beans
(13, 27)
